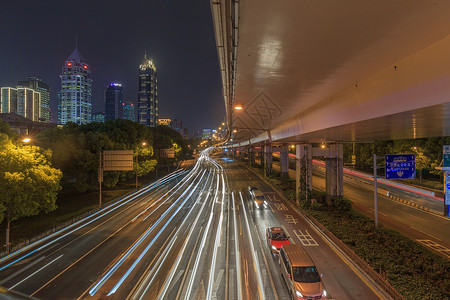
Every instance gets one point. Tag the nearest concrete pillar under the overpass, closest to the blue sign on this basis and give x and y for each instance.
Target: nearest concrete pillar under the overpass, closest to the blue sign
(334, 172)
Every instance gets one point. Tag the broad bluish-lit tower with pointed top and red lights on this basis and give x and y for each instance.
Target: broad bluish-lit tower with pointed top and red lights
(76, 90)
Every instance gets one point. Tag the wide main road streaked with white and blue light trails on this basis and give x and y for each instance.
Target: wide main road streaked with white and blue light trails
(194, 234)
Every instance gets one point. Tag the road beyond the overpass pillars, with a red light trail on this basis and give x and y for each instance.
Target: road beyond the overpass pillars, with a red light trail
(402, 211)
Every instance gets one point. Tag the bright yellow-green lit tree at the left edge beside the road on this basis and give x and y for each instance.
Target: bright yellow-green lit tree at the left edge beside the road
(28, 182)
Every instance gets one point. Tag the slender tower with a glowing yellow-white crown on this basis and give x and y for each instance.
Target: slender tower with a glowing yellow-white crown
(148, 93)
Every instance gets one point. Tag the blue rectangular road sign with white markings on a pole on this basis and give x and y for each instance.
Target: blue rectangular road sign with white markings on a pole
(400, 166)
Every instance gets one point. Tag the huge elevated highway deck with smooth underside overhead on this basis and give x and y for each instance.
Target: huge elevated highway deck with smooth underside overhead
(320, 71)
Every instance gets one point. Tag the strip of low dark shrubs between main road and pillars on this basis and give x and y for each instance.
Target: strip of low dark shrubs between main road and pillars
(413, 270)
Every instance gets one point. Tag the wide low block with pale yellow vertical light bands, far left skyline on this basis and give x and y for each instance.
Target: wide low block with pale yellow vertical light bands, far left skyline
(22, 101)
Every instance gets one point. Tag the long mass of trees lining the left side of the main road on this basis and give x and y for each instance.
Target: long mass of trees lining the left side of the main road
(54, 178)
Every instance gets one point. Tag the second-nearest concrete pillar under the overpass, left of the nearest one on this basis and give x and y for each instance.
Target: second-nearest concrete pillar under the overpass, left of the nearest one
(303, 171)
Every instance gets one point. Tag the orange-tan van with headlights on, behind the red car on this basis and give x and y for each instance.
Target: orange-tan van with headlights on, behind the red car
(300, 274)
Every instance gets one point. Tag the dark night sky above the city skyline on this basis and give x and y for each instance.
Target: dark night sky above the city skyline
(38, 35)
